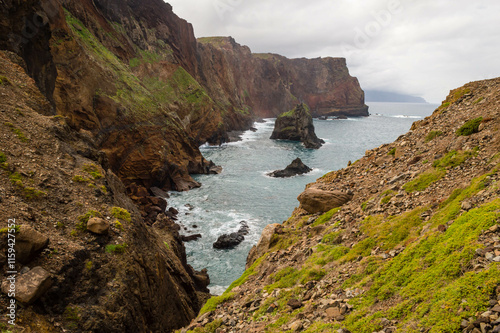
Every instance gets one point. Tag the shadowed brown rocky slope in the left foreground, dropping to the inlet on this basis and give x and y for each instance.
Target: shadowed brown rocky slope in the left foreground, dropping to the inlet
(119, 278)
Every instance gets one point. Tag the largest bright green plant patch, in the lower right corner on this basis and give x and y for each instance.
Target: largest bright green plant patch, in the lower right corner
(433, 277)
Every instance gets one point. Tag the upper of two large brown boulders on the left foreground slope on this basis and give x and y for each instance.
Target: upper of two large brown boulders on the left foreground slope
(28, 243)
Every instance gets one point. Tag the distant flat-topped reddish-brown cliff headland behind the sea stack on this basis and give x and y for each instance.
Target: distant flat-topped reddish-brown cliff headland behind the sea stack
(270, 84)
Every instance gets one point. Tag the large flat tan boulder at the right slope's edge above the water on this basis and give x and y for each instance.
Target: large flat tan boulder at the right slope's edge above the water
(315, 200)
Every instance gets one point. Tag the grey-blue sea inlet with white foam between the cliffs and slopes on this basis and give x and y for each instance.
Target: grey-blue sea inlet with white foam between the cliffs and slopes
(243, 192)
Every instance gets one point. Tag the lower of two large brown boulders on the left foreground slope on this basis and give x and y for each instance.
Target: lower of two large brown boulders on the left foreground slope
(29, 286)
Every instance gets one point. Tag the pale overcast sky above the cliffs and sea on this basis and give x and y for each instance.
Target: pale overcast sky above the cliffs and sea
(422, 48)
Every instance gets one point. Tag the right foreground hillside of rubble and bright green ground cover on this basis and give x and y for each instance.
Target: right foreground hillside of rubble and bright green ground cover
(403, 240)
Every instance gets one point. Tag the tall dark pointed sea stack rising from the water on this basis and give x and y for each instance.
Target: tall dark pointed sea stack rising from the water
(297, 125)
